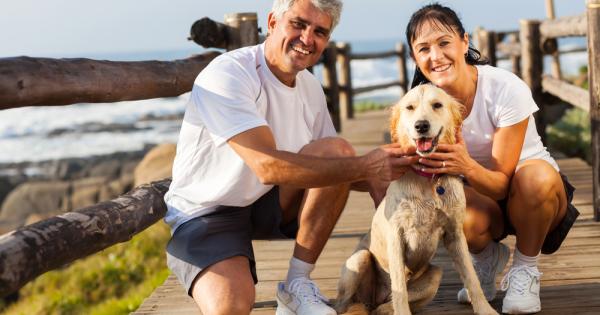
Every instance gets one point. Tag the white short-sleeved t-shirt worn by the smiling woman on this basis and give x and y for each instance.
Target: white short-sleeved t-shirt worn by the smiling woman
(502, 99)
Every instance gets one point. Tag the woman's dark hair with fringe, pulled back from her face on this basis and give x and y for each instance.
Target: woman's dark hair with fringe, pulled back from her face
(446, 19)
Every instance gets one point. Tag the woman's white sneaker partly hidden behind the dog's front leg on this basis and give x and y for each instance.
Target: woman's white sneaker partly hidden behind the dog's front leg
(486, 272)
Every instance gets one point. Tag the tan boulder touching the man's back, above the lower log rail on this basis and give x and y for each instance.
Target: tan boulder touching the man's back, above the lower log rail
(156, 165)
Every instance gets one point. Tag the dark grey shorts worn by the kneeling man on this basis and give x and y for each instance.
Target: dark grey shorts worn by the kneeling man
(225, 233)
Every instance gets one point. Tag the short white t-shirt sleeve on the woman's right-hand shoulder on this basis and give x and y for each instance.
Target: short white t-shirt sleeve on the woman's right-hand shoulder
(514, 104)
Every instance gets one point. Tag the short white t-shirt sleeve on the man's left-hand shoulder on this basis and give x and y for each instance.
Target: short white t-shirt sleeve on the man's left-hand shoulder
(224, 98)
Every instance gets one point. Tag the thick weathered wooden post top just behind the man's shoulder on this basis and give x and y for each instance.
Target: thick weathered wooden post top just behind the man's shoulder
(242, 30)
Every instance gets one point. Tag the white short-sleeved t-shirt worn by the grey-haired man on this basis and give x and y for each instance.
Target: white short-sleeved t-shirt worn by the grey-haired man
(234, 93)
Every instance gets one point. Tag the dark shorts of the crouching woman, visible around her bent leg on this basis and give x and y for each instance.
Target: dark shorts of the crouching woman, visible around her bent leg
(555, 237)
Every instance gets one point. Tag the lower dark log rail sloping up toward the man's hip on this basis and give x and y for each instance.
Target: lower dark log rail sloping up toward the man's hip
(49, 244)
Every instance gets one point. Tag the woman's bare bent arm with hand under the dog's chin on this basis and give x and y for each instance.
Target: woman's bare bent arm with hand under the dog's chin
(493, 182)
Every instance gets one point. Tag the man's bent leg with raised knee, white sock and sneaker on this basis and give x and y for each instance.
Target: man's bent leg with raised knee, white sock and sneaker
(317, 211)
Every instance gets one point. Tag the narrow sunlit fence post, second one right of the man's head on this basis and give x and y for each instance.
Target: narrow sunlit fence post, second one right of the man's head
(345, 81)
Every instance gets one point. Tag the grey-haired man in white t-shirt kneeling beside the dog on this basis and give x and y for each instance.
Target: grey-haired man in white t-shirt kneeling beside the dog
(257, 157)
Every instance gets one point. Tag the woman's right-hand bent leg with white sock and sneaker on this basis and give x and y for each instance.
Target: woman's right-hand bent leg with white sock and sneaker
(537, 203)
